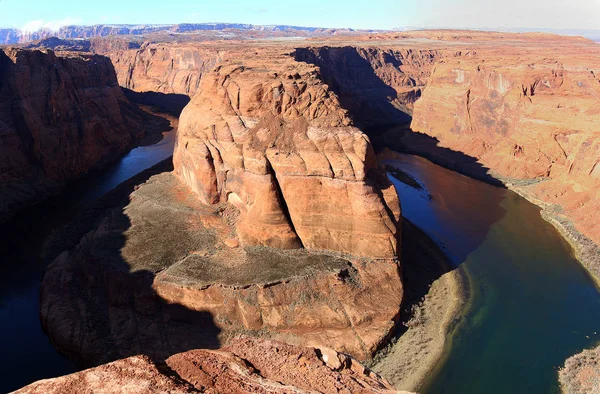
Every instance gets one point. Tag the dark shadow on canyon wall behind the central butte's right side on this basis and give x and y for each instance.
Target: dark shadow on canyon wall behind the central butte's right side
(380, 111)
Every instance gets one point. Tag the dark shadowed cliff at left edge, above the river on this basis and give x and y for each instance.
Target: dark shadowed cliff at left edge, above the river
(60, 115)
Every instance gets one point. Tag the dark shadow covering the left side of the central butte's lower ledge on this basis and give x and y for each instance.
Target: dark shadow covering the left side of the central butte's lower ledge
(97, 308)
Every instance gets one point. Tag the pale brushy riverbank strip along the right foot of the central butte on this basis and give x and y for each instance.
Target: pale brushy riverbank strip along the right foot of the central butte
(409, 359)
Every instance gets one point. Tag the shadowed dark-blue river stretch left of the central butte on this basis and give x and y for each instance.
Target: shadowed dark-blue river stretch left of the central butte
(27, 354)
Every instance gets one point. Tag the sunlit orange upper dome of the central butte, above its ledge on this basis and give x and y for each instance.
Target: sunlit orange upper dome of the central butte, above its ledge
(276, 143)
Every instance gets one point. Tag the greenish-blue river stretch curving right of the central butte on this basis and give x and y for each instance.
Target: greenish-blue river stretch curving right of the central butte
(532, 305)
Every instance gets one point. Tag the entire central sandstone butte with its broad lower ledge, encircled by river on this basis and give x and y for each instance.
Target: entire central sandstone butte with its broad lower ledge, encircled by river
(278, 223)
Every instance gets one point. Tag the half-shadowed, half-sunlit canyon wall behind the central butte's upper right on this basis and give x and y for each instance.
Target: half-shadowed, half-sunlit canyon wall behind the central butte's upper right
(377, 85)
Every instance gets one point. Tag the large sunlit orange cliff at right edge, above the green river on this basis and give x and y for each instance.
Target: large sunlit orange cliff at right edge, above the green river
(525, 120)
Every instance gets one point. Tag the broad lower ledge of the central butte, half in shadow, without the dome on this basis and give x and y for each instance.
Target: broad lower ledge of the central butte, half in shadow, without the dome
(163, 274)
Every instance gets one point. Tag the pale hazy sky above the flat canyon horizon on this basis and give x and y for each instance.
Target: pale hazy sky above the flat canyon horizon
(374, 14)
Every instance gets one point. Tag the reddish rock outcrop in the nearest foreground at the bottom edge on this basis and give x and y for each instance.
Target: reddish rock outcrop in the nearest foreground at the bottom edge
(245, 366)
